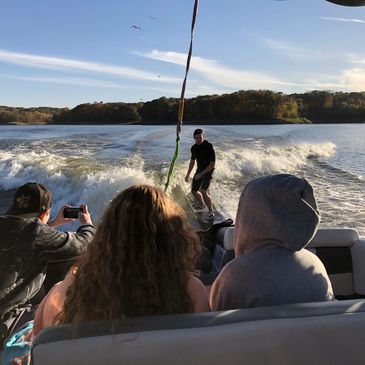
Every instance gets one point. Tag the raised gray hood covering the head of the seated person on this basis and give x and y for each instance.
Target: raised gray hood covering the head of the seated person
(277, 208)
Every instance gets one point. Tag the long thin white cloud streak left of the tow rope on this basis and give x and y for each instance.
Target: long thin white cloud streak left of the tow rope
(44, 62)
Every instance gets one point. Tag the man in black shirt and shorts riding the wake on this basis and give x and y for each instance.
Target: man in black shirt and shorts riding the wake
(203, 152)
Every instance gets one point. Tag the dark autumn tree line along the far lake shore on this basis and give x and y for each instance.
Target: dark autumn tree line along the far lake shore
(241, 107)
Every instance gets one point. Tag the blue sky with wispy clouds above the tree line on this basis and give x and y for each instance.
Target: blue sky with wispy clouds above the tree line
(69, 52)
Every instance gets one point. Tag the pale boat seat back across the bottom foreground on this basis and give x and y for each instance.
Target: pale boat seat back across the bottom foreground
(309, 333)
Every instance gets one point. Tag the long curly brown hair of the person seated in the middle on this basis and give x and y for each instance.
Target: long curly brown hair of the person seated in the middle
(138, 263)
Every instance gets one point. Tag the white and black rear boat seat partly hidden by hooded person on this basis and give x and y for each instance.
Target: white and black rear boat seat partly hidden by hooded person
(341, 250)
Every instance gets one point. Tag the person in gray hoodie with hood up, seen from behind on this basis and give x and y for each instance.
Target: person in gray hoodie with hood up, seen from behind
(277, 217)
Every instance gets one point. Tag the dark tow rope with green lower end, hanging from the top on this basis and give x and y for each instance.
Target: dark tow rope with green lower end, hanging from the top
(180, 115)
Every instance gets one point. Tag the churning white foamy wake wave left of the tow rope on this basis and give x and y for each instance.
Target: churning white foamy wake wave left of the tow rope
(72, 180)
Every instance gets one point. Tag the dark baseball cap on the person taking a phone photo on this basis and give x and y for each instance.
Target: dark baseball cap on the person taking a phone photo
(31, 199)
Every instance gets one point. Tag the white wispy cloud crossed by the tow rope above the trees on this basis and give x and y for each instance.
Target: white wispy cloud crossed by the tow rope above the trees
(219, 74)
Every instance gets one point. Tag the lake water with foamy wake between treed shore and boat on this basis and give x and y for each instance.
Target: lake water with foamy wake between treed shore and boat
(90, 164)
